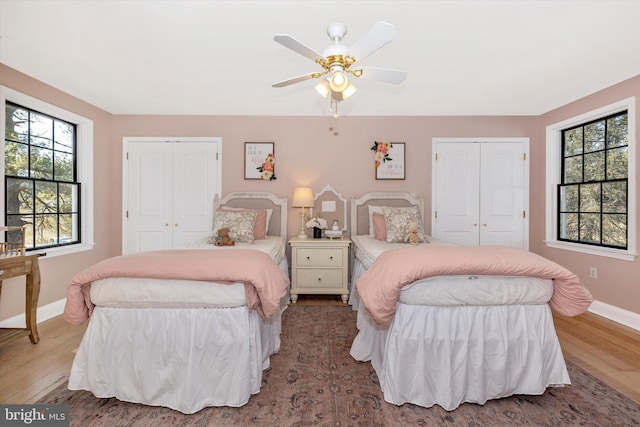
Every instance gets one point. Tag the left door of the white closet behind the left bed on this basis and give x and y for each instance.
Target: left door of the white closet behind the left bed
(150, 197)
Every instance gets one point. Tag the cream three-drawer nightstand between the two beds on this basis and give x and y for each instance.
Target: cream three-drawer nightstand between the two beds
(319, 266)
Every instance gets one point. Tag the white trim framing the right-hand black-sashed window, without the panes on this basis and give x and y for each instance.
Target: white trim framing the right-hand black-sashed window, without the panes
(553, 172)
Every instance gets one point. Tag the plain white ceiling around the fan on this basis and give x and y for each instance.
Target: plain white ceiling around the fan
(219, 57)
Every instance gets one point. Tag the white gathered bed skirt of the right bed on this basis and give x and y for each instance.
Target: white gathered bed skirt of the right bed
(450, 355)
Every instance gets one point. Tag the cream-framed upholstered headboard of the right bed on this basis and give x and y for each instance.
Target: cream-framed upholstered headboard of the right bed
(360, 210)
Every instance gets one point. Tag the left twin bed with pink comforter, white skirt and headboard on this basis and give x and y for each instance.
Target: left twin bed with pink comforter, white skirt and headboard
(186, 328)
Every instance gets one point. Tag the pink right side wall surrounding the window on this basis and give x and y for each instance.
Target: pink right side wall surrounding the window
(618, 282)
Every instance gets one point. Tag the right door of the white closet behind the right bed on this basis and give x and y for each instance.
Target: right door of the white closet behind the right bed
(502, 195)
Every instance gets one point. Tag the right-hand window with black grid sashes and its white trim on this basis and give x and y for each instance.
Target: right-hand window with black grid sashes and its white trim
(592, 209)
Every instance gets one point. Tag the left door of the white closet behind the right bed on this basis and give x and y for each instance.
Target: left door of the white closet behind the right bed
(457, 191)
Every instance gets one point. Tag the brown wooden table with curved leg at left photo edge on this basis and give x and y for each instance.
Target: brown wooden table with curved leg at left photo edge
(23, 265)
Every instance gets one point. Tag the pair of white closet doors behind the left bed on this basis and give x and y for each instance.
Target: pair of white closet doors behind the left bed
(168, 192)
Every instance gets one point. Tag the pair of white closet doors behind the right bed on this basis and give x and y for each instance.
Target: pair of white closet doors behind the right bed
(480, 192)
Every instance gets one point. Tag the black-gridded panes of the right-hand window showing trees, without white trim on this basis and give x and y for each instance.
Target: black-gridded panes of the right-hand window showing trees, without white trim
(593, 194)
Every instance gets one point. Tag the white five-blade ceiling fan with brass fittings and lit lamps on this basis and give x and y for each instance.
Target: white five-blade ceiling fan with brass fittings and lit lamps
(339, 61)
